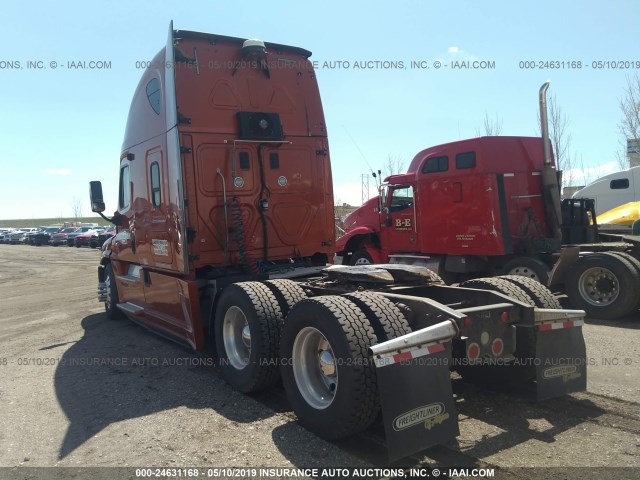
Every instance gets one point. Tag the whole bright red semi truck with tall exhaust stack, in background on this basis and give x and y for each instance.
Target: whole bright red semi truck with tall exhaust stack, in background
(491, 206)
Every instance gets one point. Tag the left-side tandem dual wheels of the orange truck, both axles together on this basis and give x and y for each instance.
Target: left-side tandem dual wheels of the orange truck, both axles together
(319, 348)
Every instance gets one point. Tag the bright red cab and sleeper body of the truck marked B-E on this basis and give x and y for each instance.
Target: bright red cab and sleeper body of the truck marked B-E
(470, 206)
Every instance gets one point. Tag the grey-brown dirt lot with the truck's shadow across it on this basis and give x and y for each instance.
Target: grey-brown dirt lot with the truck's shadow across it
(157, 404)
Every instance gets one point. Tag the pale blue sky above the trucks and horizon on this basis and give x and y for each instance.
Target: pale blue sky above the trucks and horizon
(60, 127)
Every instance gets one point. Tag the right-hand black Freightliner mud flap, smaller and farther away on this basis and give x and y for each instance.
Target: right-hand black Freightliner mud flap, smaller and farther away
(560, 361)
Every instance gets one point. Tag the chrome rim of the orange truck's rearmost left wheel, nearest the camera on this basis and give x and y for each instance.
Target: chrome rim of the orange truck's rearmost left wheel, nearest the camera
(314, 368)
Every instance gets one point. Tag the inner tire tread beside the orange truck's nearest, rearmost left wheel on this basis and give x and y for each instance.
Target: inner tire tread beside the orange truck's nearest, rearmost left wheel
(386, 319)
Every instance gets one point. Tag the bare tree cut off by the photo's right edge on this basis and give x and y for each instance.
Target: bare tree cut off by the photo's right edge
(629, 126)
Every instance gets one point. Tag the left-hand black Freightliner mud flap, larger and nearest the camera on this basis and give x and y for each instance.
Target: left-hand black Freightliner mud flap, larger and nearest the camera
(418, 407)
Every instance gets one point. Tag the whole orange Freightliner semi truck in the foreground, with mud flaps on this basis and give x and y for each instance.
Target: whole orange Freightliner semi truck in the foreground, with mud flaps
(224, 230)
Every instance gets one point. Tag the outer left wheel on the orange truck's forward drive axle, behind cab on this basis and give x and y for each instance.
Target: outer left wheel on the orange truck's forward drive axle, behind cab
(247, 327)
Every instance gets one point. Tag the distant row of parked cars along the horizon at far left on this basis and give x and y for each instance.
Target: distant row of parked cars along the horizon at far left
(85, 236)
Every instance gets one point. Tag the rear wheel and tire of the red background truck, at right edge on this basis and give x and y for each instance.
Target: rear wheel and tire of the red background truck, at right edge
(605, 285)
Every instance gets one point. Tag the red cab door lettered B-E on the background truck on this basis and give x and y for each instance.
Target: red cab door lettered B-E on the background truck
(399, 231)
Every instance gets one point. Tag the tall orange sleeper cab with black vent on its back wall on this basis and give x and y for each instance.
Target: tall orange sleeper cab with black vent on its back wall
(224, 173)
